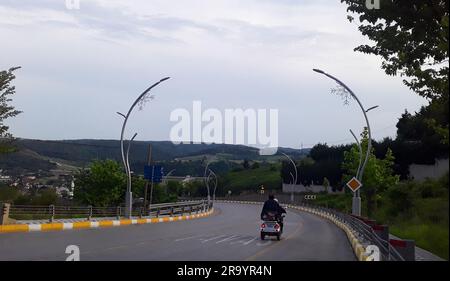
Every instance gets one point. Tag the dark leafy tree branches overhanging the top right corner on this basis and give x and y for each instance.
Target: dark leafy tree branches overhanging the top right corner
(412, 39)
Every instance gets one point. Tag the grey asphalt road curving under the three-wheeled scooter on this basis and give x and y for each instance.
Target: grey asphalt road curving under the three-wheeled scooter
(232, 233)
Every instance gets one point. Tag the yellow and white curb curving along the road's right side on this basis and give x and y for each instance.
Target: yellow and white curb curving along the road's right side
(358, 248)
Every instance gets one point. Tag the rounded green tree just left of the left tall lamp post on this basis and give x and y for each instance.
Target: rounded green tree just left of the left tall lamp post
(102, 184)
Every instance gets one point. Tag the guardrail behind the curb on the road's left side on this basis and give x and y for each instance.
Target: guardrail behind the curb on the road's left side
(52, 212)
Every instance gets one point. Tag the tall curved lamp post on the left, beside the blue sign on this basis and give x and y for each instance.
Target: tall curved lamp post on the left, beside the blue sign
(128, 196)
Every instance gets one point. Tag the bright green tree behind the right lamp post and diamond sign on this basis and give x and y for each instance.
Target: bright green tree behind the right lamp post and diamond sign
(378, 174)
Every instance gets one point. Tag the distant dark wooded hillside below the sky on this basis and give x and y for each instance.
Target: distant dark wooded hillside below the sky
(33, 155)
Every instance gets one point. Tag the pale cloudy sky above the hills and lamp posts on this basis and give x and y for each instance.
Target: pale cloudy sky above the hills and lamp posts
(80, 66)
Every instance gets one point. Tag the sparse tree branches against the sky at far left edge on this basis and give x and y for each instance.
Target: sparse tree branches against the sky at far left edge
(6, 110)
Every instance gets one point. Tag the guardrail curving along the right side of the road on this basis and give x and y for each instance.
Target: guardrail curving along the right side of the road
(366, 231)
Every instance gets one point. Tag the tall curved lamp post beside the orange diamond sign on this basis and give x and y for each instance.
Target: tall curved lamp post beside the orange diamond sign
(356, 203)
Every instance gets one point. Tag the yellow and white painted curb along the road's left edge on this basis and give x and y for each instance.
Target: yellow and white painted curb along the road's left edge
(95, 224)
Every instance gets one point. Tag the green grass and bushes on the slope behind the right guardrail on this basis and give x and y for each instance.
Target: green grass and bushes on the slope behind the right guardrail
(412, 210)
